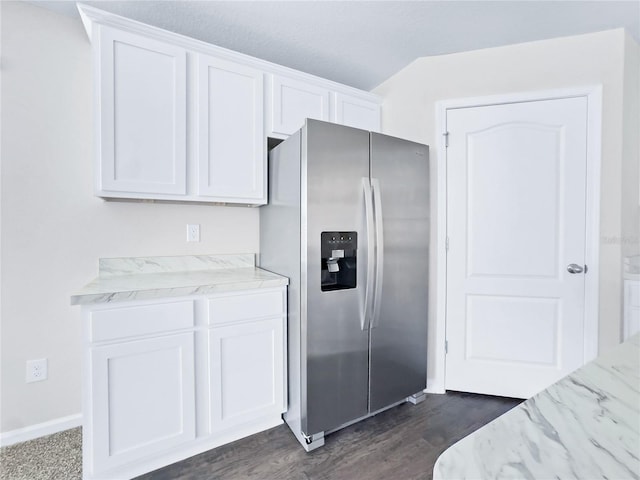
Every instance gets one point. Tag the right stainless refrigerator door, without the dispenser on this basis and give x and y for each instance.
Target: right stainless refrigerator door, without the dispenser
(400, 180)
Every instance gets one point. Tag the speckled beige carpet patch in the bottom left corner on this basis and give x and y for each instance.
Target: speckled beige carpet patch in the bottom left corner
(54, 457)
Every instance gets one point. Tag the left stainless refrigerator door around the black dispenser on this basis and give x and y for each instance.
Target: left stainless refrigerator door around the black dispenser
(335, 160)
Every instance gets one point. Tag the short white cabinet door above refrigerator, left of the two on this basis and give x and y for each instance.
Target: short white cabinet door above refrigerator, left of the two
(293, 101)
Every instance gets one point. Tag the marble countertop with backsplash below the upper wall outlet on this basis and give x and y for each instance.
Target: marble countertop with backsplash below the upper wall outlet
(143, 278)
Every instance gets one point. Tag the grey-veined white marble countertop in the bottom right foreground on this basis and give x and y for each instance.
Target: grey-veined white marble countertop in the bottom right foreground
(587, 425)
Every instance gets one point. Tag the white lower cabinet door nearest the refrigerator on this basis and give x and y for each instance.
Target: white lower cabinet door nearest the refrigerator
(247, 372)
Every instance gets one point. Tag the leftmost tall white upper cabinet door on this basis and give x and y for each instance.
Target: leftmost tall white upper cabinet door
(142, 115)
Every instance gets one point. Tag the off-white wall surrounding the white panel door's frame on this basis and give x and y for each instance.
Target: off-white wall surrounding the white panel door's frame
(410, 97)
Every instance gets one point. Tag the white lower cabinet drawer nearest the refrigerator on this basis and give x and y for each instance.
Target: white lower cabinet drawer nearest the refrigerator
(230, 308)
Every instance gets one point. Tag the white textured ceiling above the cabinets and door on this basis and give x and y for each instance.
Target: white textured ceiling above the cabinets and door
(362, 43)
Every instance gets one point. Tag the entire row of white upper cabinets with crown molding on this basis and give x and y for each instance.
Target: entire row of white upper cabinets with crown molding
(179, 119)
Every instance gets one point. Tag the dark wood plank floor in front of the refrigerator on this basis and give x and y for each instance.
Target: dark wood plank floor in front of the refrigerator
(403, 442)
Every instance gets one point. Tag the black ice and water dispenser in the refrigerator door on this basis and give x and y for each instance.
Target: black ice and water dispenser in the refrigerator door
(338, 263)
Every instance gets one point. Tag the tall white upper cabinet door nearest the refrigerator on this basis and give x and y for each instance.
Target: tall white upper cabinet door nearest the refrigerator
(231, 141)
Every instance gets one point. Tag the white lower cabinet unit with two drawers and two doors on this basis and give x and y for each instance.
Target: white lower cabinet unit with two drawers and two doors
(170, 378)
